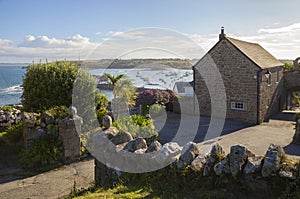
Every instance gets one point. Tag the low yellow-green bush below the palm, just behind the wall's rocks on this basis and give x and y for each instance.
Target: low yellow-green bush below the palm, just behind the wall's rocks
(136, 125)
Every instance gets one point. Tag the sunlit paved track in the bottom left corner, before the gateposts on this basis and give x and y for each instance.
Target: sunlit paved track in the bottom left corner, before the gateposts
(52, 184)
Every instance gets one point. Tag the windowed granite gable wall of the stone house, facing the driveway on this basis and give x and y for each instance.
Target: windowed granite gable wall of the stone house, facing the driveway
(239, 76)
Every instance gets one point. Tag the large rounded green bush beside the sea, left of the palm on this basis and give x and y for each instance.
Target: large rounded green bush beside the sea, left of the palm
(51, 84)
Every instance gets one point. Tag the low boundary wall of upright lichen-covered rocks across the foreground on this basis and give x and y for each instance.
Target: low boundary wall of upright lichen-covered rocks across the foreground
(239, 163)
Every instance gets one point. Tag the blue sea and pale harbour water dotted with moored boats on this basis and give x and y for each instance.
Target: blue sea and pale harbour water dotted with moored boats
(11, 78)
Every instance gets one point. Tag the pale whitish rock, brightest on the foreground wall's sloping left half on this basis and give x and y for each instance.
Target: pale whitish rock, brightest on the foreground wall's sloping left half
(169, 152)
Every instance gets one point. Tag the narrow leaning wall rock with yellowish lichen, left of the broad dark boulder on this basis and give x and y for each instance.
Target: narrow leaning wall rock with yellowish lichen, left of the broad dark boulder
(216, 154)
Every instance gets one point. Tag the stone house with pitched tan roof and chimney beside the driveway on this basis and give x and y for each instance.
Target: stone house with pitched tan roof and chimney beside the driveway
(252, 80)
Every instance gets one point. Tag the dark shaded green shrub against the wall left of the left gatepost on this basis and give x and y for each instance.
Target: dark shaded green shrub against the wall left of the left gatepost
(46, 150)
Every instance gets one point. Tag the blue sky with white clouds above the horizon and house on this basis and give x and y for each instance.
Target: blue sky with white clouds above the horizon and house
(65, 29)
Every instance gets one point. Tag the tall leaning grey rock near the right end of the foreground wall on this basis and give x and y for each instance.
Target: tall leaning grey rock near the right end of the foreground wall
(272, 160)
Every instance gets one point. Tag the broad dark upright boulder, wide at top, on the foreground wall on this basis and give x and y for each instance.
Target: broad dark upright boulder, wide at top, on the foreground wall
(237, 158)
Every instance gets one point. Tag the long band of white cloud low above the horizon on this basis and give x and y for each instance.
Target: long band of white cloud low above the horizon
(282, 42)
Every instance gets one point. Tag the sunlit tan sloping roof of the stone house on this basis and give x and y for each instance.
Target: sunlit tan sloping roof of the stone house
(261, 57)
